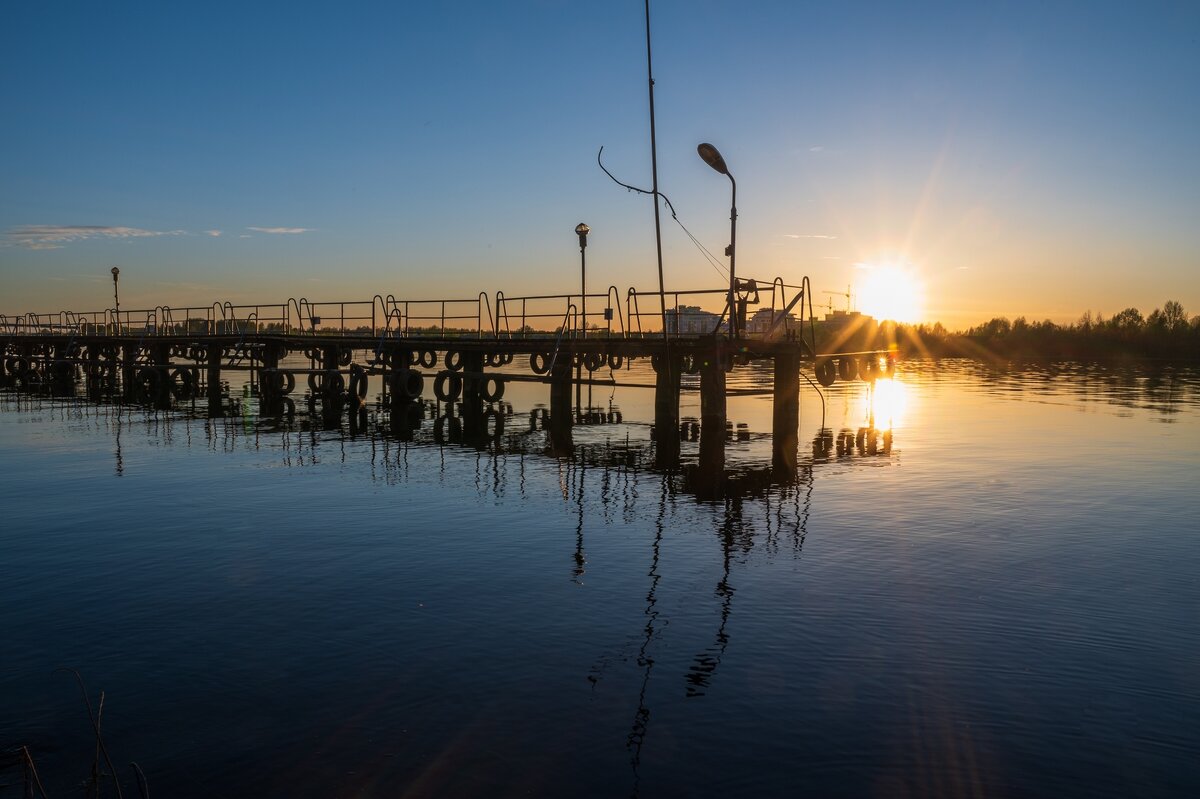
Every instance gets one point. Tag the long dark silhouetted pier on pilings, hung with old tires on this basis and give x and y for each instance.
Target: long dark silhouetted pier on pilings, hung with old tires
(163, 357)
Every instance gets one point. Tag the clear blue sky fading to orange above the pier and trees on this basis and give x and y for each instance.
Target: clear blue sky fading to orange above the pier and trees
(1018, 159)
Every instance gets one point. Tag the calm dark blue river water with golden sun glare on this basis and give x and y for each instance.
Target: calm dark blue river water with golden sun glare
(1003, 604)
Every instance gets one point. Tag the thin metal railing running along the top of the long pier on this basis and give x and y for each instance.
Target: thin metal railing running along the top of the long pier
(689, 314)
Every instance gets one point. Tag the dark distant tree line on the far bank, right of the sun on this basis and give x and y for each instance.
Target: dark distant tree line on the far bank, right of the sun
(1166, 333)
